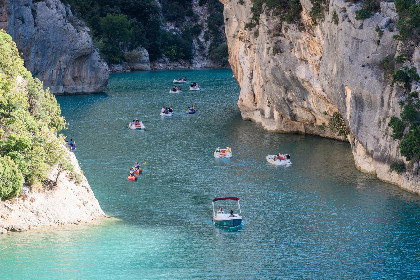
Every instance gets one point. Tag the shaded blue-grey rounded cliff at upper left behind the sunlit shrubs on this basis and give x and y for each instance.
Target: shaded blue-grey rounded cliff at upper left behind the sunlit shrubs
(55, 45)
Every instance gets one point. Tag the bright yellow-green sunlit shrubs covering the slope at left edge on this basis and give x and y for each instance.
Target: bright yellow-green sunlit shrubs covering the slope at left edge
(29, 121)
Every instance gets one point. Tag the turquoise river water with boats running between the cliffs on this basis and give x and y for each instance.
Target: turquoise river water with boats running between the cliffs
(319, 218)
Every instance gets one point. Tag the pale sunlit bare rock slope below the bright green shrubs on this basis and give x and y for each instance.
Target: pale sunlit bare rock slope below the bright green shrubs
(69, 200)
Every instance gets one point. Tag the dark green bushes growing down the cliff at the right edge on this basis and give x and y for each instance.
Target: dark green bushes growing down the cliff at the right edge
(407, 129)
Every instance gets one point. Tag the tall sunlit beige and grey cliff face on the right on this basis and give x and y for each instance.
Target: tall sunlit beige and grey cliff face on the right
(293, 78)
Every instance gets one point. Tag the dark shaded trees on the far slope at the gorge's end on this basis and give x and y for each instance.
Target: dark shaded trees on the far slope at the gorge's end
(121, 26)
